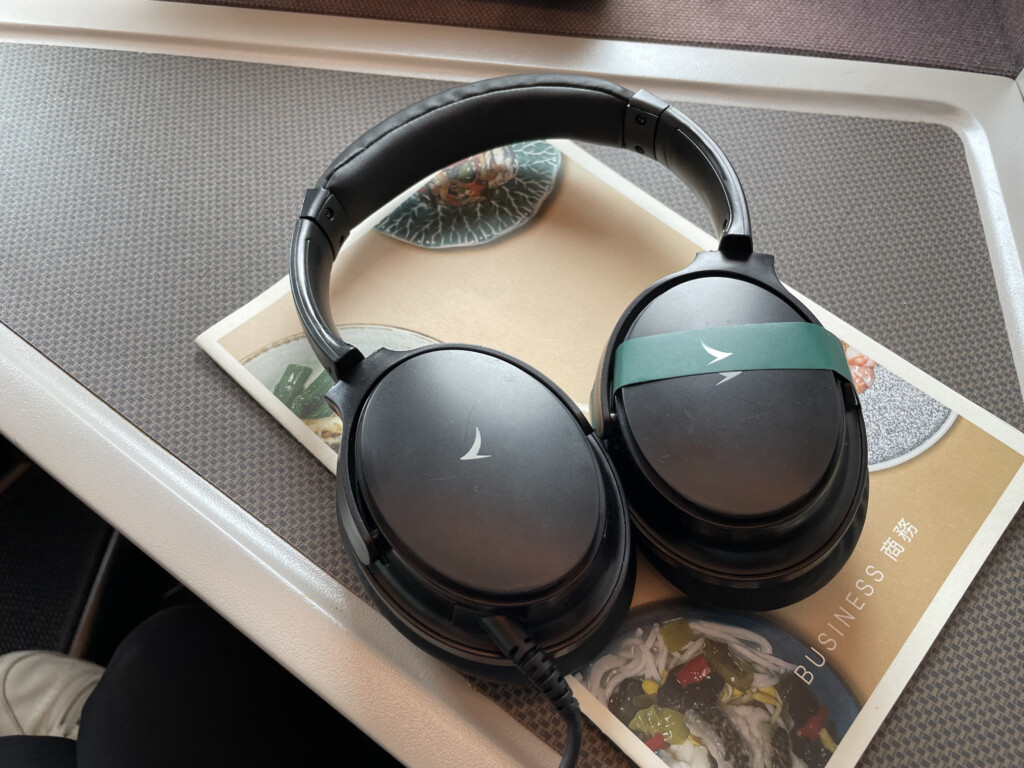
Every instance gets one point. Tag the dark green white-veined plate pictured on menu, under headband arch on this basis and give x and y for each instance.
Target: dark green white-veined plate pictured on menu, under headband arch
(479, 200)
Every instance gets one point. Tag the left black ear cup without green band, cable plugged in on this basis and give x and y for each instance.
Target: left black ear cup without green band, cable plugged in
(471, 487)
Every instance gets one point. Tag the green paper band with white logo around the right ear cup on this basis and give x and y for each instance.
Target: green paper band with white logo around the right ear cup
(767, 347)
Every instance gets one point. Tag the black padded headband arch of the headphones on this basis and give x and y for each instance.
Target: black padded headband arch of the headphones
(445, 129)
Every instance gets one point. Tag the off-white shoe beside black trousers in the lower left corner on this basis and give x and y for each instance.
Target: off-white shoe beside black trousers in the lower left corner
(42, 694)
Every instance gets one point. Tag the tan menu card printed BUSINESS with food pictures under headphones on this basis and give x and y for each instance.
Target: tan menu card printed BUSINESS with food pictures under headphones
(536, 250)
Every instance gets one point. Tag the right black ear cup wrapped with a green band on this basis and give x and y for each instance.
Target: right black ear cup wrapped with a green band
(748, 489)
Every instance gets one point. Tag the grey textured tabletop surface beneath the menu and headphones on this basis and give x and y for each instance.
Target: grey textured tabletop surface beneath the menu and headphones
(144, 198)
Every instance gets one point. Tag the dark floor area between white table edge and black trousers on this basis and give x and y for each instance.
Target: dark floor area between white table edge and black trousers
(68, 582)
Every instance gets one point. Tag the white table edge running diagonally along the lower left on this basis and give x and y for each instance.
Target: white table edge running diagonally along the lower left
(420, 710)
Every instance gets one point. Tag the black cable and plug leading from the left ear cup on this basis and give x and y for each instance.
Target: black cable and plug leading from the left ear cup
(539, 668)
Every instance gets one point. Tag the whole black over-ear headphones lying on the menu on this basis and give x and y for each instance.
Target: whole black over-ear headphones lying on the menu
(486, 517)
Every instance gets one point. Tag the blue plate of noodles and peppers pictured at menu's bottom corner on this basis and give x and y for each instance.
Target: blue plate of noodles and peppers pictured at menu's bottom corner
(705, 688)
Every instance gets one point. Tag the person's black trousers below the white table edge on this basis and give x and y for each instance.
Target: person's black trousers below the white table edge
(187, 691)
